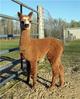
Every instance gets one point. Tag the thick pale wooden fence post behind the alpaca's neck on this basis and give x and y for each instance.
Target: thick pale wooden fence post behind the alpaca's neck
(40, 22)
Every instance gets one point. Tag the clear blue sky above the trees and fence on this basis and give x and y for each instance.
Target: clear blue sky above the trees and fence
(65, 9)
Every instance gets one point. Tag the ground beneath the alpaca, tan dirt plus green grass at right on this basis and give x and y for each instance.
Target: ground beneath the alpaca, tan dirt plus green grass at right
(18, 89)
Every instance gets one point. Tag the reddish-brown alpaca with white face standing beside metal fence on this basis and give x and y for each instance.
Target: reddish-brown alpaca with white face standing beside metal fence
(35, 49)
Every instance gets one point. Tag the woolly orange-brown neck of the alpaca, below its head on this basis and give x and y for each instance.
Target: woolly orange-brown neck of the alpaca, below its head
(25, 38)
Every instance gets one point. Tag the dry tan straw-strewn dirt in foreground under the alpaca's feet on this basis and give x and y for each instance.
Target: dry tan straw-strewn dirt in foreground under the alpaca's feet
(71, 89)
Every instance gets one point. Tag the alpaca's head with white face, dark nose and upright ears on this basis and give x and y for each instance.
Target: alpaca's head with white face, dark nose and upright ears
(25, 20)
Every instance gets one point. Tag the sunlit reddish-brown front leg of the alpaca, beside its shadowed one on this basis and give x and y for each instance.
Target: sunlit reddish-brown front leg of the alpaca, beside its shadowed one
(34, 72)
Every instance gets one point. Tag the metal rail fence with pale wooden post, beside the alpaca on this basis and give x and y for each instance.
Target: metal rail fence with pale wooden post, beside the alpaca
(7, 68)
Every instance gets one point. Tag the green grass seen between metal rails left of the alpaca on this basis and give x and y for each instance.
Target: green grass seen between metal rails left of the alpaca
(8, 44)
